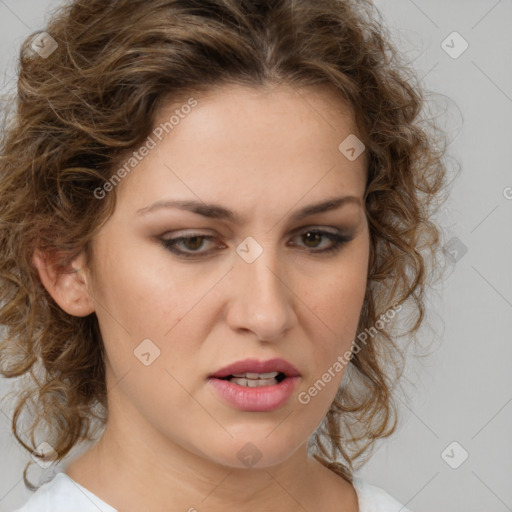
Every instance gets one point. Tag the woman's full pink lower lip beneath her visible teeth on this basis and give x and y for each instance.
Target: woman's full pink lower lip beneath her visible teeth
(264, 398)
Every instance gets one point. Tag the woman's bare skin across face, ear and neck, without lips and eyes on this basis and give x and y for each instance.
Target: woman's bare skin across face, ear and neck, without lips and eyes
(171, 443)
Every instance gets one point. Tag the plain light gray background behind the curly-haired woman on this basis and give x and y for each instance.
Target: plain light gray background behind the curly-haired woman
(462, 392)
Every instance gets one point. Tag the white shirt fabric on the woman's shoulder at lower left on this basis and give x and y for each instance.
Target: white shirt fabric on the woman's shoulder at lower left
(62, 494)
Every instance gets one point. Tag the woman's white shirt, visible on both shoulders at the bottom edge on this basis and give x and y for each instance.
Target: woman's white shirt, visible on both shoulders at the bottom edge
(62, 494)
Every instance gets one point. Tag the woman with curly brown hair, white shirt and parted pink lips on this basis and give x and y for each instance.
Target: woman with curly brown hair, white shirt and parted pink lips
(213, 215)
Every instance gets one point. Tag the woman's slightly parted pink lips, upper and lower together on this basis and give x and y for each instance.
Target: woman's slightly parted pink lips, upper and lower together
(261, 399)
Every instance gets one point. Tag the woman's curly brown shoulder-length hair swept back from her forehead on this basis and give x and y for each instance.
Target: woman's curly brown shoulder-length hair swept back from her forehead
(81, 108)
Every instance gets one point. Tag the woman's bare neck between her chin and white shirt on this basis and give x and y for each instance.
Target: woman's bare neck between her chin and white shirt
(135, 467)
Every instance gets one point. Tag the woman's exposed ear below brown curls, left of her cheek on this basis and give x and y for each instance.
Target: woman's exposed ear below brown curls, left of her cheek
(68, 289)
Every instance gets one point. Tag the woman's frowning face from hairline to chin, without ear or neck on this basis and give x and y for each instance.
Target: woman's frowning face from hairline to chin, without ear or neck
(180, 294)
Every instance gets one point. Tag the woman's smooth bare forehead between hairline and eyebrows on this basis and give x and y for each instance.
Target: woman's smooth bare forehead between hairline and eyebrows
(239, 143)
